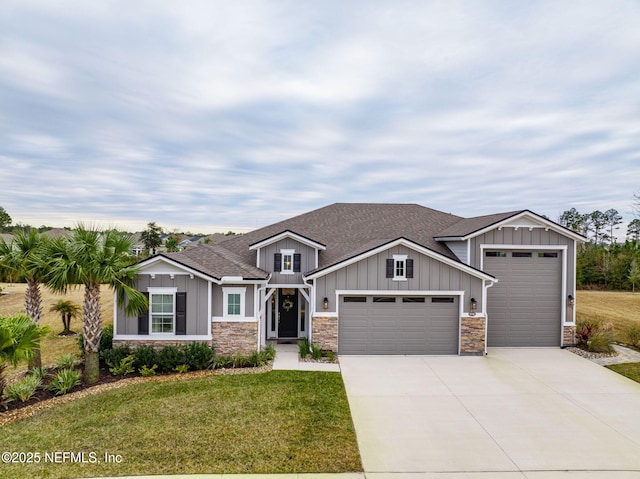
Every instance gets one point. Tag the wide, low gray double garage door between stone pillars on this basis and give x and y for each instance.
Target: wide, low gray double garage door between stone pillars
(398, 325)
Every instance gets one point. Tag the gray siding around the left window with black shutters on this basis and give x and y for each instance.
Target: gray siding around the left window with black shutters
(197, 298)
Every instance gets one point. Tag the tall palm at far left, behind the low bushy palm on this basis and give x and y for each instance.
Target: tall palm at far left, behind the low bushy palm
(22, 257)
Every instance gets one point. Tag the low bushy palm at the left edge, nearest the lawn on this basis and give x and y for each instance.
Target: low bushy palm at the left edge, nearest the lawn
(19, 338)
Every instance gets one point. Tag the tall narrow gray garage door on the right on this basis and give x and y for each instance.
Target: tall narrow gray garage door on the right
(524, 306)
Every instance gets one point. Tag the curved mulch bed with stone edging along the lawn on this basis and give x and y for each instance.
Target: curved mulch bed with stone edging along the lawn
(44, 399)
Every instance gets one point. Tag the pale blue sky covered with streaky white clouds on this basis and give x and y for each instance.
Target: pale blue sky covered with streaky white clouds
(206, 116)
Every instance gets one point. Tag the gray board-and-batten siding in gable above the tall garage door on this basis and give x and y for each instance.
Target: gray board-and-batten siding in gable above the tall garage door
(525, 236)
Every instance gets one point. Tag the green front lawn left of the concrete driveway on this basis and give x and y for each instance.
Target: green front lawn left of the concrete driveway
(276, 422)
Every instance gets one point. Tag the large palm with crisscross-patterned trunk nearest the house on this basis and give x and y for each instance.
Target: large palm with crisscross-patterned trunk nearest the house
(91, 257)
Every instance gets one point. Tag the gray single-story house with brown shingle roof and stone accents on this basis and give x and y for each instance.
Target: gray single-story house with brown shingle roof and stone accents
(367, 279)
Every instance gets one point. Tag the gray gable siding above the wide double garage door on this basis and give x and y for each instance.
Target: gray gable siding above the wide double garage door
(369, 274)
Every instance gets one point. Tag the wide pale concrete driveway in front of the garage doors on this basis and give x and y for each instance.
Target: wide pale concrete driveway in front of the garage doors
(516, 413)
